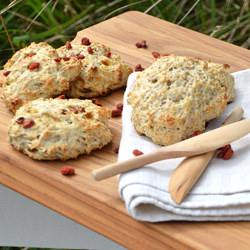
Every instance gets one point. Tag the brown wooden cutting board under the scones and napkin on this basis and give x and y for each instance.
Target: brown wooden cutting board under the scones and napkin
(97, 205)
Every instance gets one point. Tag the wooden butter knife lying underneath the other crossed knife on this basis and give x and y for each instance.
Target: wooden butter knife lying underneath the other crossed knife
(190, 169)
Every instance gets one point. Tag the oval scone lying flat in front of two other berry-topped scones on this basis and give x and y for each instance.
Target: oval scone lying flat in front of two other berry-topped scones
(50, 129)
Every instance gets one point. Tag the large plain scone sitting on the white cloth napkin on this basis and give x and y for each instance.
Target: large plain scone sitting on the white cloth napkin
(176, 96)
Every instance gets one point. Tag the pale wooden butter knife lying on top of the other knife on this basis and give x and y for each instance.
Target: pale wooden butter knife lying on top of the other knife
(193, 146)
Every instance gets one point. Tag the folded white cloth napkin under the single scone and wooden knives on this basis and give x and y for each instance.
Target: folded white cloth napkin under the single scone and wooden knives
(221, 194)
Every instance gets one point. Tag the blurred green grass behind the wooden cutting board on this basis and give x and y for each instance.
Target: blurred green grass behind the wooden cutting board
(56, 21)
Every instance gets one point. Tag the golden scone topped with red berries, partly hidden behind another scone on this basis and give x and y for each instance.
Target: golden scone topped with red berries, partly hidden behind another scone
(101, 72)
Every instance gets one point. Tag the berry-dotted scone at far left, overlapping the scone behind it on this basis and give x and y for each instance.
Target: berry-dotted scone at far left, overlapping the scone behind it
(36, 71)
